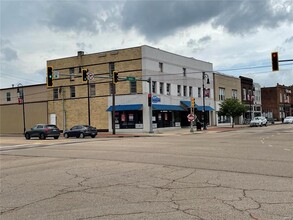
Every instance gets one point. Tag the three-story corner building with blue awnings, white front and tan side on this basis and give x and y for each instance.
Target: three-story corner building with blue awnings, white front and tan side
(171, 79)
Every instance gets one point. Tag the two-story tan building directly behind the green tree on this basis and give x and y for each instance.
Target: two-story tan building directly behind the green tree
(226, 86)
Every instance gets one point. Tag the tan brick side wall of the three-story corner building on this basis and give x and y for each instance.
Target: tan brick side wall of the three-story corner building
(127, 63)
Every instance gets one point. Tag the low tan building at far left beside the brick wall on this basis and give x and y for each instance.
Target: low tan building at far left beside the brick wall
(21, 107)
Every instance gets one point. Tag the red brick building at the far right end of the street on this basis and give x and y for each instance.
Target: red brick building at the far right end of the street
(277, 102)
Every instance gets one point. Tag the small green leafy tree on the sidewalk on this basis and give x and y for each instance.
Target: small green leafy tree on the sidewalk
(232, 108)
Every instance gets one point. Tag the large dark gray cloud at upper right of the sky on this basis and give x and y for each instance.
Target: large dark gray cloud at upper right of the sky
(157, 19)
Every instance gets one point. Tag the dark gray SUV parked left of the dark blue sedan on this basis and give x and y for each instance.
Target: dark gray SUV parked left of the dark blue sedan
(42, 131)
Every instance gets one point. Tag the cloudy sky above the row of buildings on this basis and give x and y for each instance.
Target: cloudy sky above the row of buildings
(237, 36)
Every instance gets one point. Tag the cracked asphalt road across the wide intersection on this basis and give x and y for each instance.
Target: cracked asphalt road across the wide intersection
(242, 174)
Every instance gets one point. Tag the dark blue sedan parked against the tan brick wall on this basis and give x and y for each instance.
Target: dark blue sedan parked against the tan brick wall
(80, 131)
